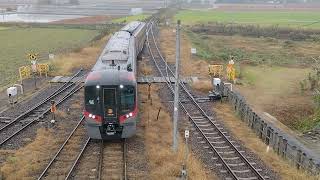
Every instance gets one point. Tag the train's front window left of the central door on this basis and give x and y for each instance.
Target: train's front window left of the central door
(91, 98)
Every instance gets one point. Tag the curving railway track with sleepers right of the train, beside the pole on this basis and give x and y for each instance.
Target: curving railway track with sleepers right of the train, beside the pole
(232, 163)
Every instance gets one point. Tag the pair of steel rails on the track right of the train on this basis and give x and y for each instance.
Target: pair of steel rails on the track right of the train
(205, 116)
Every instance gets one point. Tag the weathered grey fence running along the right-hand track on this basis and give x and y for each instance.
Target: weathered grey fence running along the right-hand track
(284, 144)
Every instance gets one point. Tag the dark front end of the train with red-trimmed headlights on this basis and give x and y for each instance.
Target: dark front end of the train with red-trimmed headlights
(110, 105)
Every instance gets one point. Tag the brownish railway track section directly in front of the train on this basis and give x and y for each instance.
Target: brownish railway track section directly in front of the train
(107, 162)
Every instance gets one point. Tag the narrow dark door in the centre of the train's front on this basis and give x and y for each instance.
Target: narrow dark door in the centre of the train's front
(110, 103)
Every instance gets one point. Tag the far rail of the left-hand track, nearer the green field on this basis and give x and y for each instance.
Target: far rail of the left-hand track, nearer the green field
(54, 94)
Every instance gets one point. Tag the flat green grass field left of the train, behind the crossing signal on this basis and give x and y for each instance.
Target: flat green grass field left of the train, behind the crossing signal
(16, 43)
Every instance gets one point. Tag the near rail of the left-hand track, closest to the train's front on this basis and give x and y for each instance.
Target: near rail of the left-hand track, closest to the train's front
(74, 90)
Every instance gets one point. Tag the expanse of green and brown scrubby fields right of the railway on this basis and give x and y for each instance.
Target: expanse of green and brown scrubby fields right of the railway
(275, 71)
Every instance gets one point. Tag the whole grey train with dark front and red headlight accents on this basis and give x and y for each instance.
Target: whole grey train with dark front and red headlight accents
(111, 108)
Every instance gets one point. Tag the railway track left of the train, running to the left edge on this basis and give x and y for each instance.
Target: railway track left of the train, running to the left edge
(37, 112)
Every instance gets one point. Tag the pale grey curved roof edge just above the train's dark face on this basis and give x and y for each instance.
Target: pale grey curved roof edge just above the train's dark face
(110, 77)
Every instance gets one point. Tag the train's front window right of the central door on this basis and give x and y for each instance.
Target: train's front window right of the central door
(127, 97)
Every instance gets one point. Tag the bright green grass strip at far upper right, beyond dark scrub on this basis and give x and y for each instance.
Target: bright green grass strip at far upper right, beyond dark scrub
(308, 19)
